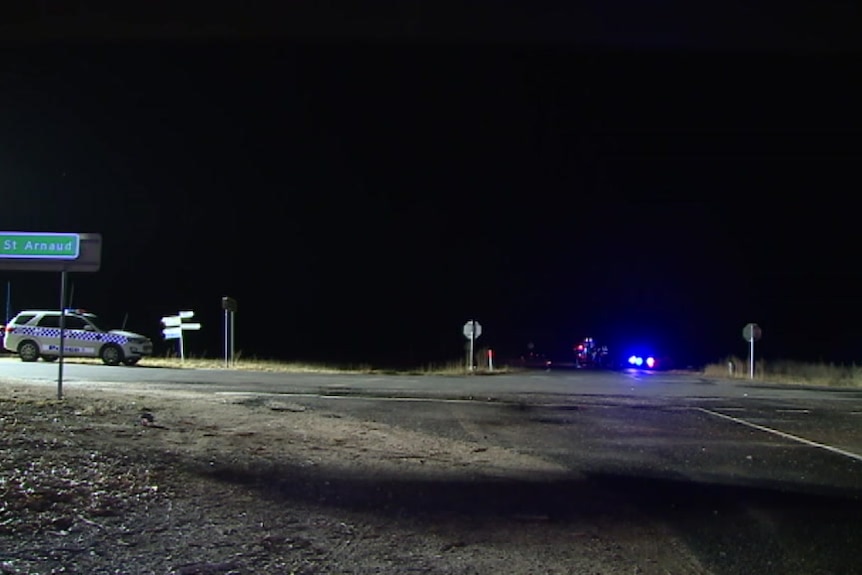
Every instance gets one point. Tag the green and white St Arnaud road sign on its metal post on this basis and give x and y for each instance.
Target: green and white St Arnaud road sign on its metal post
(52, 252)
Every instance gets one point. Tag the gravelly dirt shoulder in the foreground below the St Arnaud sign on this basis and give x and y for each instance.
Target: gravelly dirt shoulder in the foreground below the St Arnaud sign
(114, 480)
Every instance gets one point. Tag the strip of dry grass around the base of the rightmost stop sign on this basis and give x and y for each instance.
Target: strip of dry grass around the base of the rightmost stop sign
(788, 371)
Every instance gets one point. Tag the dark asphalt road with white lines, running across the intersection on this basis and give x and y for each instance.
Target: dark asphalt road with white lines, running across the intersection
(758, 478)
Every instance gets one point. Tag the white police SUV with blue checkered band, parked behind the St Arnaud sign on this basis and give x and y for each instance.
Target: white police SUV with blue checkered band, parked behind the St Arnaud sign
(36, 333)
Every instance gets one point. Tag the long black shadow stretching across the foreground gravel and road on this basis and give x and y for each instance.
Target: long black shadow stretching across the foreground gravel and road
(731, 528)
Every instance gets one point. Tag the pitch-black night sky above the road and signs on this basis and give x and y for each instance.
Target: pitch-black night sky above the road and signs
(363, 199)
